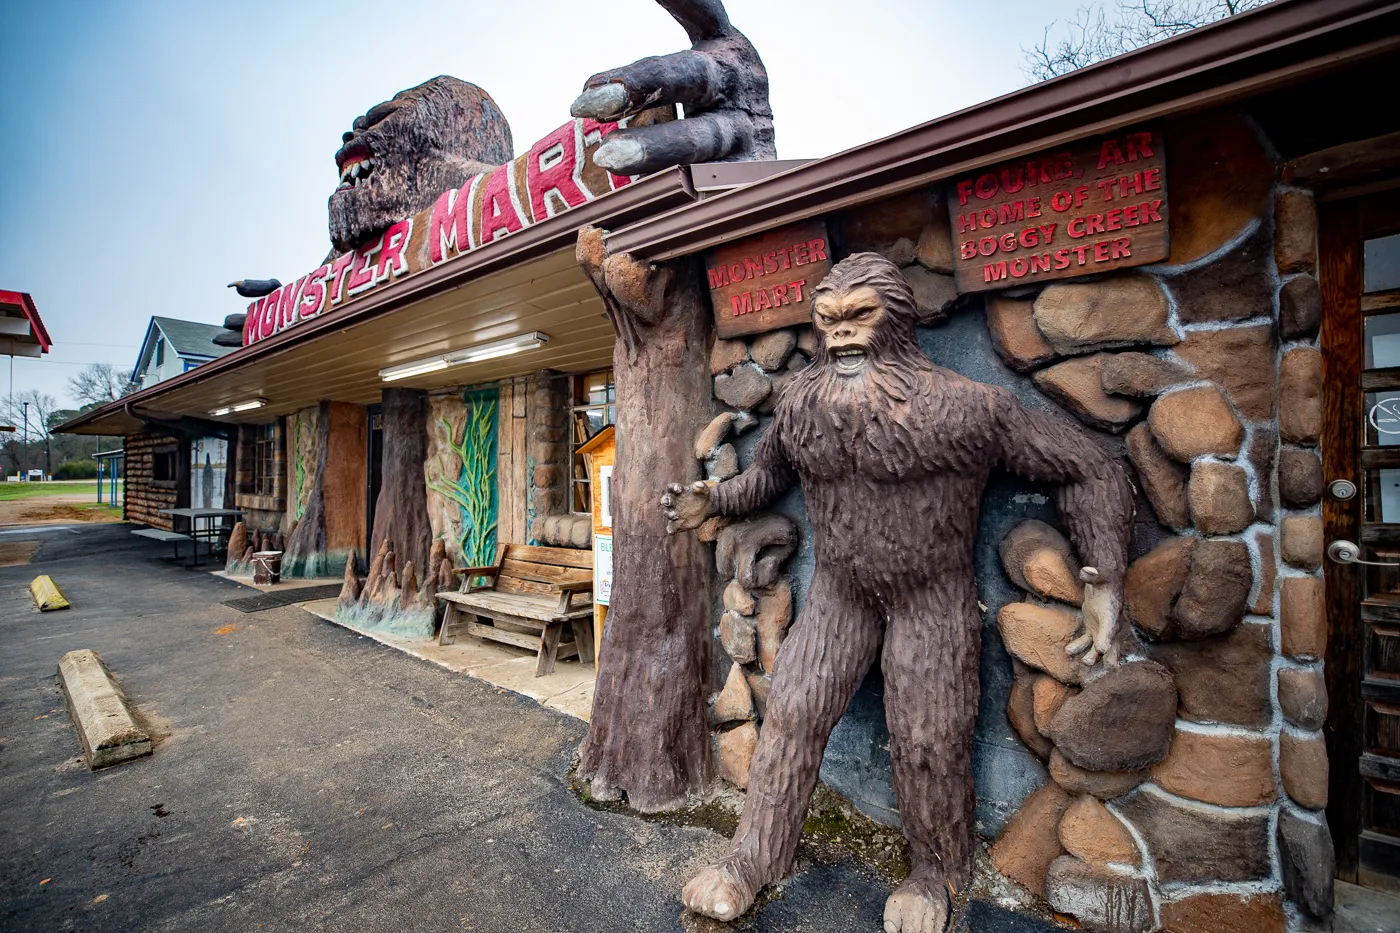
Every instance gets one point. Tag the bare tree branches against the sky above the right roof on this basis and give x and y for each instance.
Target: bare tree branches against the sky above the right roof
(1100, 33)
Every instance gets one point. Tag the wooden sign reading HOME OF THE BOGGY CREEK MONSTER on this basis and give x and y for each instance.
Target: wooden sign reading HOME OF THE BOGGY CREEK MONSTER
(1093, 207)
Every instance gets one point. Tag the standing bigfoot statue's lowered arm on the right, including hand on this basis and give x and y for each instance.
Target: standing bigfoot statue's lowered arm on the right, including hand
(1095, 502)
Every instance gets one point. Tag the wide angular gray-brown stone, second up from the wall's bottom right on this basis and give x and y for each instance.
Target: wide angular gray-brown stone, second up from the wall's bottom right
(1198, 845)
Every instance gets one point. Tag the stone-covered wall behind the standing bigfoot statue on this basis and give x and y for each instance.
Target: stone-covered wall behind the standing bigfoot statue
(1200, 376)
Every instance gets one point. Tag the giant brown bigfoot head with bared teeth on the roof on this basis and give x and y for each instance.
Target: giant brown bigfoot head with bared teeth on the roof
(408, 151)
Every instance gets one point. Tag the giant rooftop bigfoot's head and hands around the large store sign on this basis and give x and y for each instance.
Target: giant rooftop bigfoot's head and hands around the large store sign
(405, 152)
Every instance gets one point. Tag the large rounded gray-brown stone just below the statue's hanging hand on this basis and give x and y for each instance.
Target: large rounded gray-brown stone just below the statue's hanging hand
(1122, 721)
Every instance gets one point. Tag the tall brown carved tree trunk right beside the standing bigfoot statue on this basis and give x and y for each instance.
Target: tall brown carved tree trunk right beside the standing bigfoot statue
(649, 735)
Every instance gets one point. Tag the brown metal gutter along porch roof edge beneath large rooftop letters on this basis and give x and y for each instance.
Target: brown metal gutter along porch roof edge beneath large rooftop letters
(657, 193)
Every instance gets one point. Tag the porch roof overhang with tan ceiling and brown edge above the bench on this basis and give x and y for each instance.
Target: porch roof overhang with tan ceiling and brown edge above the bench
(526, 282)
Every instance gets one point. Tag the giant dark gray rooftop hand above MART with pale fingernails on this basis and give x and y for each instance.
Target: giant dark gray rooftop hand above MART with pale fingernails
(722, 82)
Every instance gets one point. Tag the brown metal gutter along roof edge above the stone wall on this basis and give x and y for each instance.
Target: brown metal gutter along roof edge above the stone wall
(1272, 47)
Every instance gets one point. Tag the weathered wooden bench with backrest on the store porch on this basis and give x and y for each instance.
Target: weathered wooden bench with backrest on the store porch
(530, 602)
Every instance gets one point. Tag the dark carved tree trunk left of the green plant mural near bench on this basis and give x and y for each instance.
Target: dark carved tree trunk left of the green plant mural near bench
(401, 513)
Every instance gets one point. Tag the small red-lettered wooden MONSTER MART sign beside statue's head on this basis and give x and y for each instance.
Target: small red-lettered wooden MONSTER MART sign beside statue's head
(764, 284)
